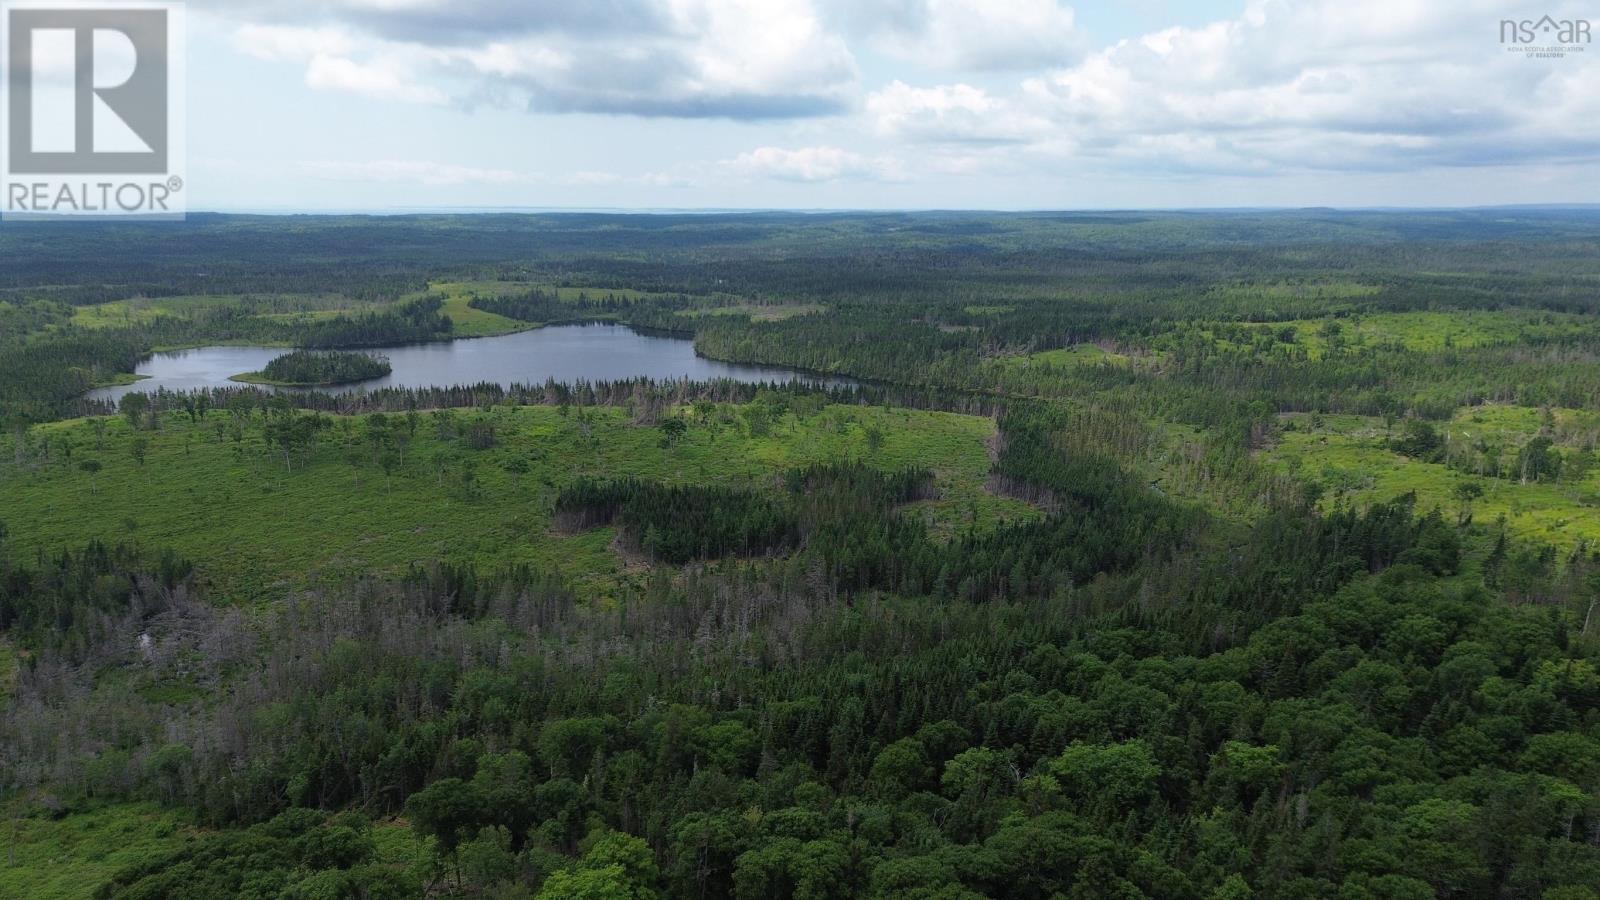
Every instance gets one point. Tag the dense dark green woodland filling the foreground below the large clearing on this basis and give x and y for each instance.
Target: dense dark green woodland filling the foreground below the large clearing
(1326, 707)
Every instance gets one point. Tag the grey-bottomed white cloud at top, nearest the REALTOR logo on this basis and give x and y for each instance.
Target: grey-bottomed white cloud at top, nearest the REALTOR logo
(658, 58)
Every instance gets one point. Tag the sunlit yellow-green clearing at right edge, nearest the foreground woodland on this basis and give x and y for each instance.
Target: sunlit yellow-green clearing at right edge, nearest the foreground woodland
(1350, 456)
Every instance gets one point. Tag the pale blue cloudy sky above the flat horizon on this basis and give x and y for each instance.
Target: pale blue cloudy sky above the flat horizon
(380, 105)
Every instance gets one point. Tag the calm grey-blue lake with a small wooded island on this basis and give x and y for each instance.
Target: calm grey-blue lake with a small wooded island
(566, 353)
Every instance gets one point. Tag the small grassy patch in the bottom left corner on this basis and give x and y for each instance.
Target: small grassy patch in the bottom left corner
(66, 859)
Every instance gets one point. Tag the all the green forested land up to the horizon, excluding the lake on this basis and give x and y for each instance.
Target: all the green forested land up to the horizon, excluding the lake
(1143, 555)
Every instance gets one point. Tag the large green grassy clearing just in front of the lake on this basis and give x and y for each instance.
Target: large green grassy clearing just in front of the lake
(254, 528)
